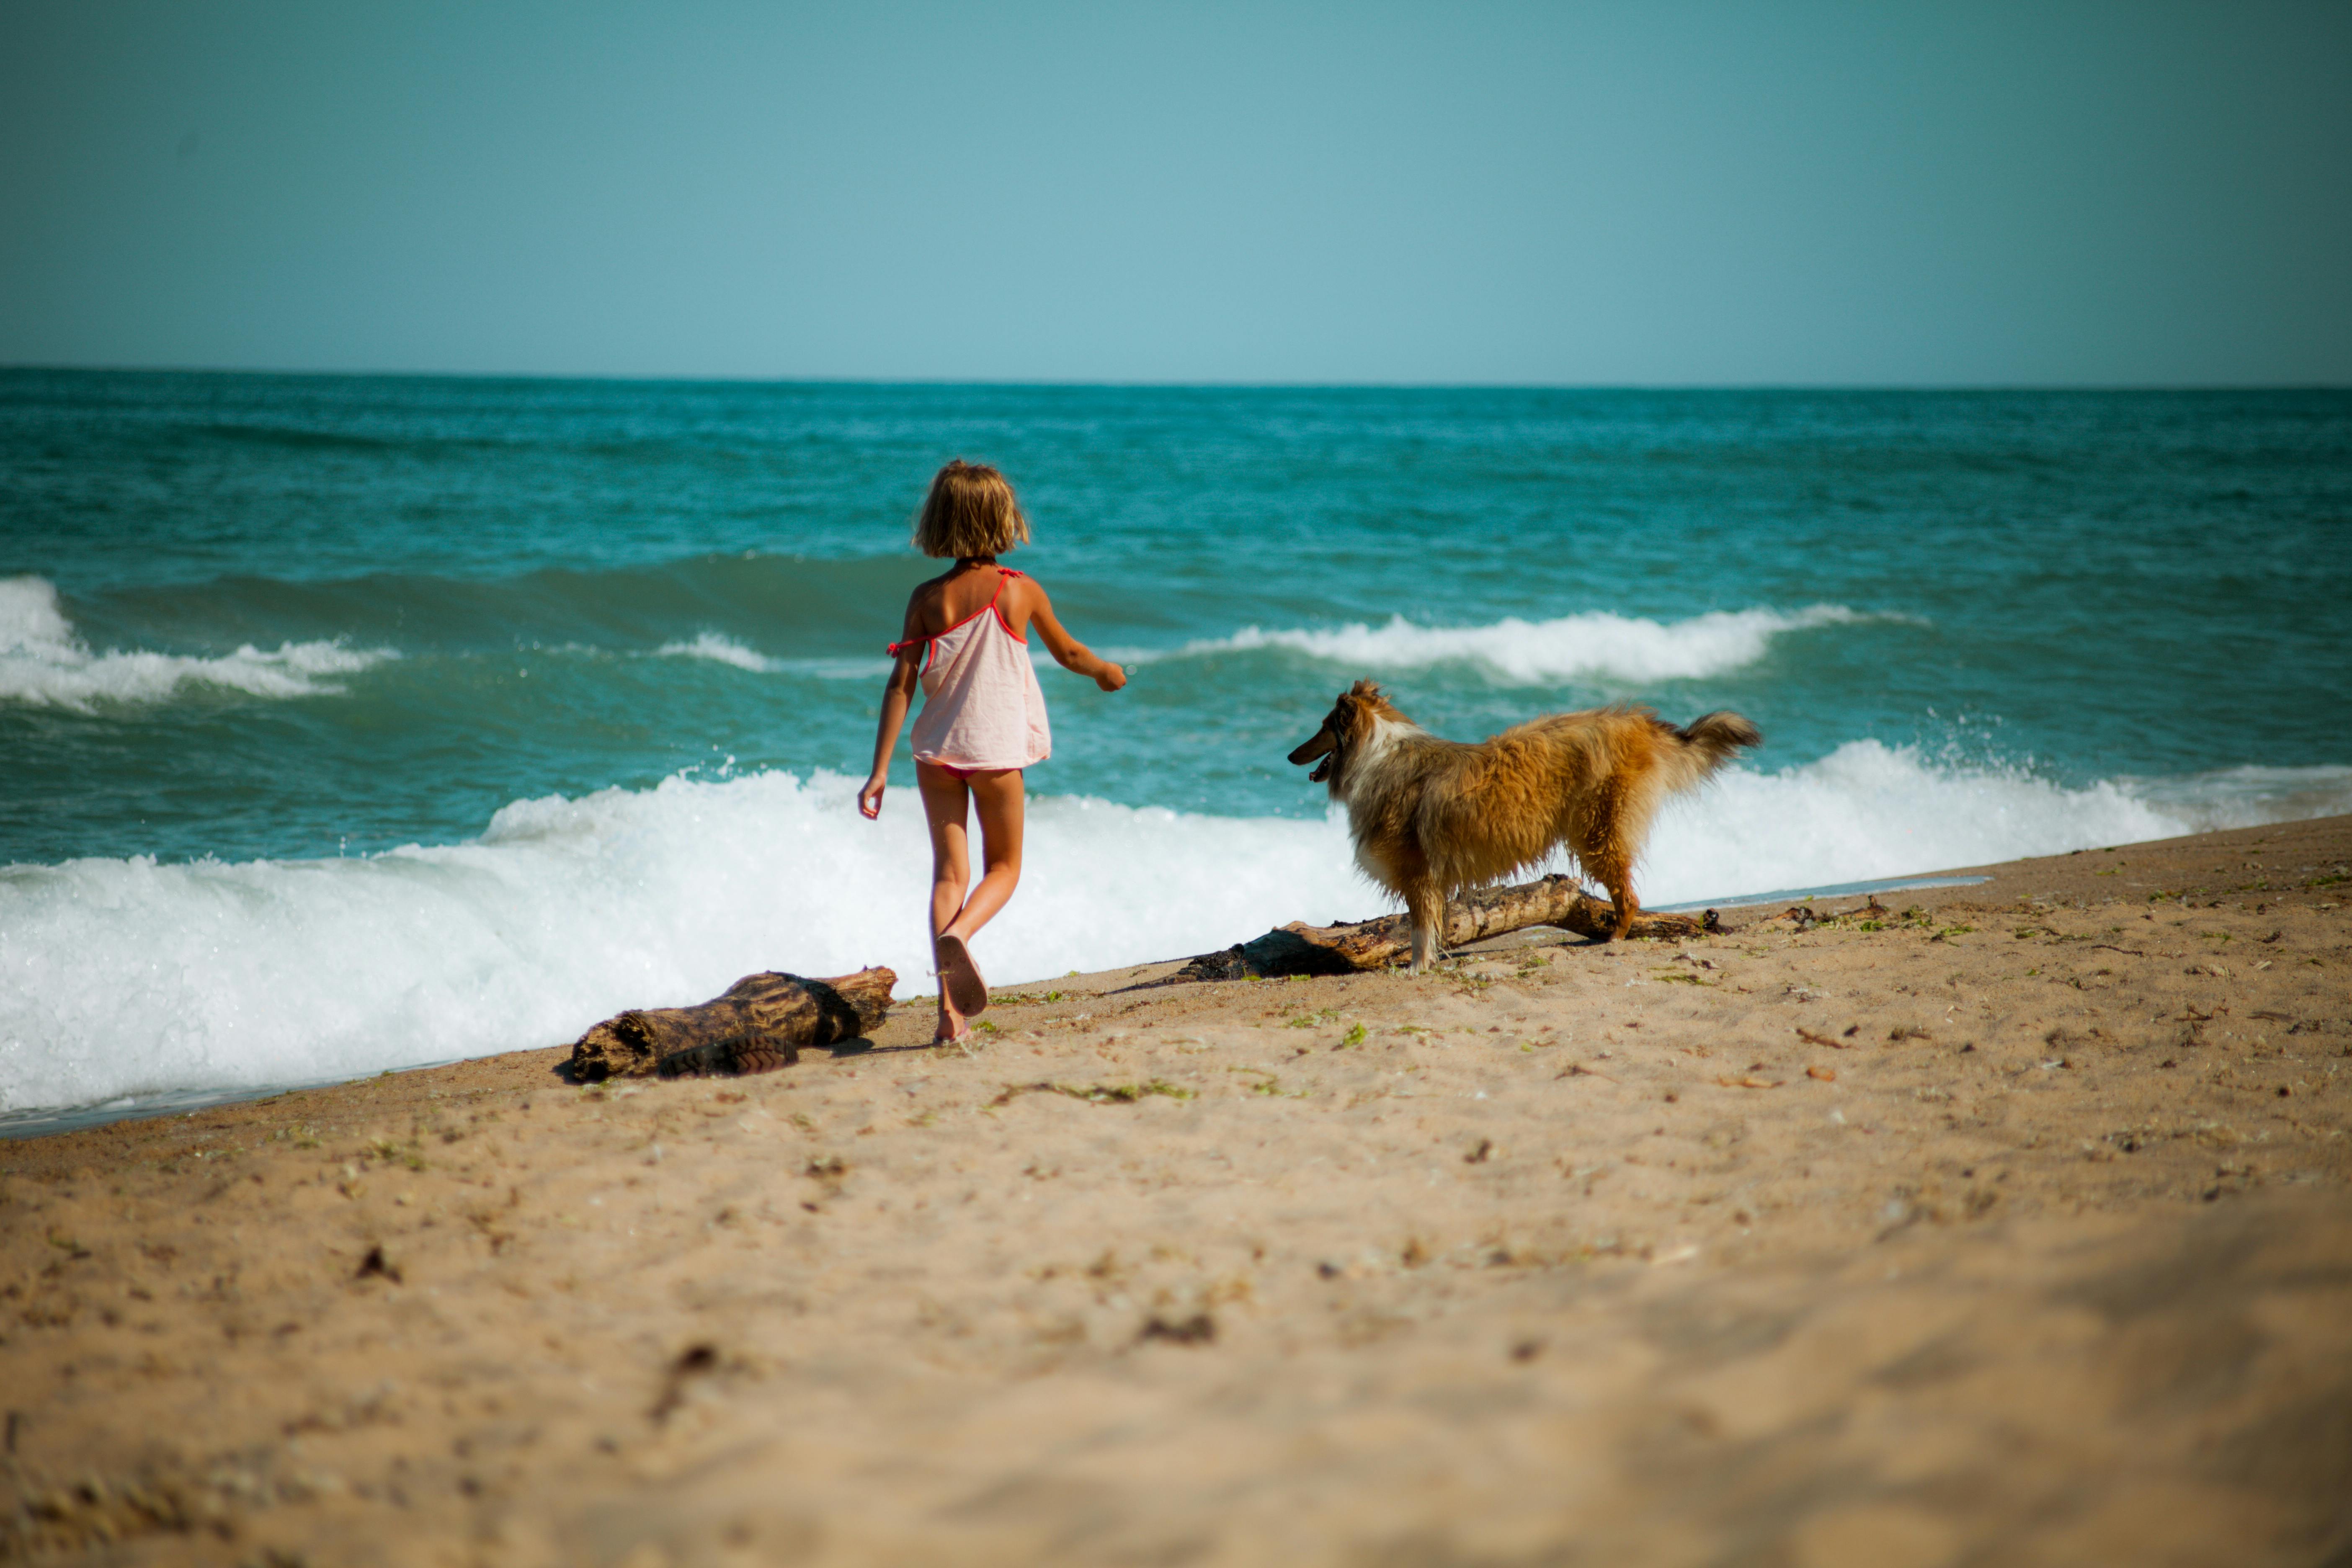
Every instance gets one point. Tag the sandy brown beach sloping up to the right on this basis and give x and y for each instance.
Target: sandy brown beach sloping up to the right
(2007, 1224)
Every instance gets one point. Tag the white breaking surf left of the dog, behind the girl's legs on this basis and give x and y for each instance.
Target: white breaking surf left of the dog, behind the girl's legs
(128, 977)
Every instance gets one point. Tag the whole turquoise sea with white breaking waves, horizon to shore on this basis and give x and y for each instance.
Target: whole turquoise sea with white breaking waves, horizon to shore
(359, 723)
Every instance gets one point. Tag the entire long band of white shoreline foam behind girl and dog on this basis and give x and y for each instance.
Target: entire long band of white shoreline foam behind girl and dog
(128, 977)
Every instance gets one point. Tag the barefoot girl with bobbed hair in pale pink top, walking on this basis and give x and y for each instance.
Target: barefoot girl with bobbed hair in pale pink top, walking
(982, 713)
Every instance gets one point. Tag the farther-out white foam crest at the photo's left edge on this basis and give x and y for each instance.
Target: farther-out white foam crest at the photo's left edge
(46, 666)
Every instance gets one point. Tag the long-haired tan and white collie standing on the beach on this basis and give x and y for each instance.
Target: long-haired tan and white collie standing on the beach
(1434, 819)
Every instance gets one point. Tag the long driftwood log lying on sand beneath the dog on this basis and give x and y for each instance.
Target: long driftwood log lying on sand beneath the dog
(1375, 944)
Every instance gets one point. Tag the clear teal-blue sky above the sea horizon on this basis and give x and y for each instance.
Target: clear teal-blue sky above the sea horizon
(1464, 194)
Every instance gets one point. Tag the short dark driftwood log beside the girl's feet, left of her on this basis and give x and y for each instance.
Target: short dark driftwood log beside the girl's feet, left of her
(759, 1026)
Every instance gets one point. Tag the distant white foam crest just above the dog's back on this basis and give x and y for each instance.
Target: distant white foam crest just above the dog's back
(1591, 645)
